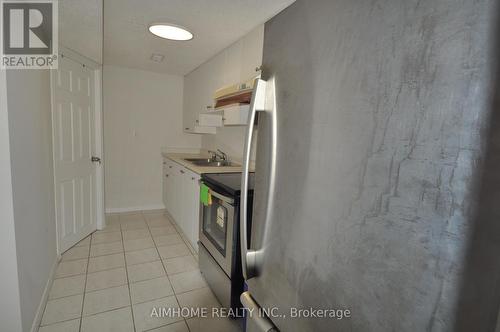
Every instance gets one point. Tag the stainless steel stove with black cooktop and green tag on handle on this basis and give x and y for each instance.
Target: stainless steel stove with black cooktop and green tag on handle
(219, 250)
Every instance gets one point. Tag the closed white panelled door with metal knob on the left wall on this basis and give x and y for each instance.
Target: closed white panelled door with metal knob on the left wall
(74, 129)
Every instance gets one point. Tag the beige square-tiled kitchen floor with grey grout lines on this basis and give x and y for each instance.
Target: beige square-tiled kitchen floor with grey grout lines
(112, 280)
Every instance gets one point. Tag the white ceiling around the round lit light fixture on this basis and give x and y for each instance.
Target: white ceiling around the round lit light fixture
(215, 24)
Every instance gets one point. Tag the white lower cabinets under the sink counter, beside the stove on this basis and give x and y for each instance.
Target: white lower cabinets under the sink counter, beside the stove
(181, 195)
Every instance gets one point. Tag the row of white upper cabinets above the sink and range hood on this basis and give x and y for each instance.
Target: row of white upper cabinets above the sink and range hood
(234, 64)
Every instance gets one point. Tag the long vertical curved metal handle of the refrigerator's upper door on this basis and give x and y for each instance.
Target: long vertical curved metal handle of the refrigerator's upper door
(248, 257)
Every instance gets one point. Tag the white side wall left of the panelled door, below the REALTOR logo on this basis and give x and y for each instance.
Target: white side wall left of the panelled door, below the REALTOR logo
(30, 130)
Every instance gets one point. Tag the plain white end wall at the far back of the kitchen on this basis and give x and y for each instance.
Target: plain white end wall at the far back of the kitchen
(142, 114)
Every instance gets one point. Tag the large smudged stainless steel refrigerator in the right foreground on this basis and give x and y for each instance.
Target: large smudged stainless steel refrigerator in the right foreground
(377, 168)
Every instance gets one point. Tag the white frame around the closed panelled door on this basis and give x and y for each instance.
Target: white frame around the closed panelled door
(99, 148)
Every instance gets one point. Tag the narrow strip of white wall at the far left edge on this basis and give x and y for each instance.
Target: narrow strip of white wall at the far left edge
(10, 306)
